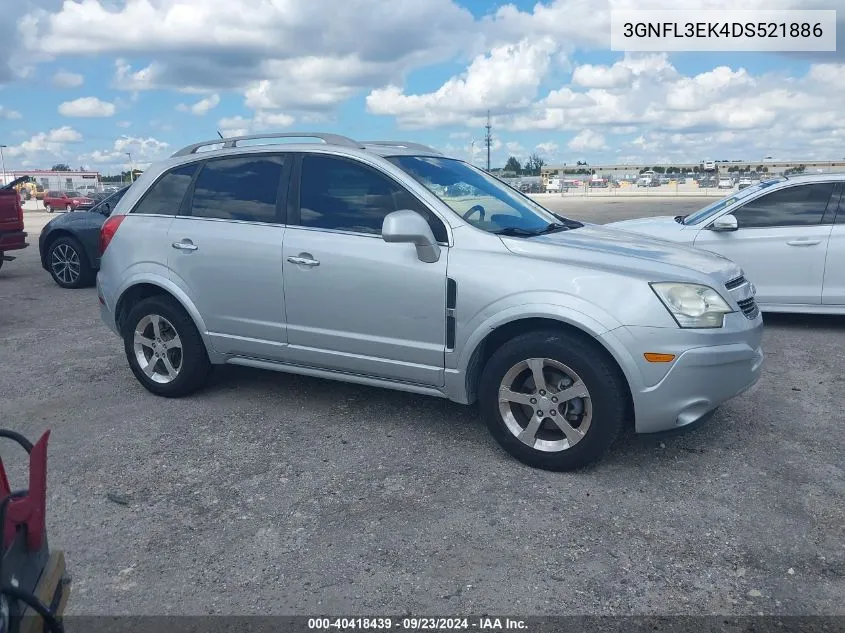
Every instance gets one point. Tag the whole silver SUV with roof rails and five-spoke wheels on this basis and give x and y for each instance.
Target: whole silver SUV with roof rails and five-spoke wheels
(390, 264)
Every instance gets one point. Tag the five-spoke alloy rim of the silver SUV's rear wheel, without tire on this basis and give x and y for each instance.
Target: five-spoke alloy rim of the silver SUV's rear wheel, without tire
(158, 348)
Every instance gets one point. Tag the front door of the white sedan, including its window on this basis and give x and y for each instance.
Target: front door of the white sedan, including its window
(781, 243)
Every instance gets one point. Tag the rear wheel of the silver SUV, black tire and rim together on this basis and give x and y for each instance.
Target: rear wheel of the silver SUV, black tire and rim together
(164, 349)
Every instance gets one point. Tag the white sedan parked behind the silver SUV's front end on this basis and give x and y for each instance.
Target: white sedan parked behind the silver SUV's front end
(788, 235)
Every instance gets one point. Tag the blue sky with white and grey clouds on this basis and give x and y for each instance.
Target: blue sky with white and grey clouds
(87, 82)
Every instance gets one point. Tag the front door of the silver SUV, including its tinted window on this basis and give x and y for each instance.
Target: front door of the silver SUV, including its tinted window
(354, 302)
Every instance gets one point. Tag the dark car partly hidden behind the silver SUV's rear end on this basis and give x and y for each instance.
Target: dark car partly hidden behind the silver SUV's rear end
(68, 246)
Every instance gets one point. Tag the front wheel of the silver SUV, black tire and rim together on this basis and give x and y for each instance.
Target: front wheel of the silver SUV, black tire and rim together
(552, 400)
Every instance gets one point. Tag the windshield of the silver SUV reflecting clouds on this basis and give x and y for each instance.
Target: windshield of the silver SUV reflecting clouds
(482, 200)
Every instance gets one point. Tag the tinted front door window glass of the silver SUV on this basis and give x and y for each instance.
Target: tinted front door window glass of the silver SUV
(340, 194)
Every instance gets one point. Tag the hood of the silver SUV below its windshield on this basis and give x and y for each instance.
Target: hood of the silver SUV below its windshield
(629, 253)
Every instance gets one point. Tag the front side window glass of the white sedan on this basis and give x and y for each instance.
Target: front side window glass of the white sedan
(802, 205)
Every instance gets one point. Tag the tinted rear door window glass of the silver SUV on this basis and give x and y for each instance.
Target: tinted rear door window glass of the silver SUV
(244, 188)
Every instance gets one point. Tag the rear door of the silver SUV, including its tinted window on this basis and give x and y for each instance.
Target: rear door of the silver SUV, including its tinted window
(226, 252)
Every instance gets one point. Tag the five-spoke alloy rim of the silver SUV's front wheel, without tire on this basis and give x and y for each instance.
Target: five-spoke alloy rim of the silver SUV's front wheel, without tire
(545, 404)
